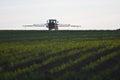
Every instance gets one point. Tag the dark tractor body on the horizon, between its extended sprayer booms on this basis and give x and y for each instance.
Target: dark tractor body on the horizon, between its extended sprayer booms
(52, 24)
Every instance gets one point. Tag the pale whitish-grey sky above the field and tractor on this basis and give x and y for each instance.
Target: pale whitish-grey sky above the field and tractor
(90, 14)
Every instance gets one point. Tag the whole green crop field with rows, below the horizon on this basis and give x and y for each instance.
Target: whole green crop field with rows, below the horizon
(59, 55)
